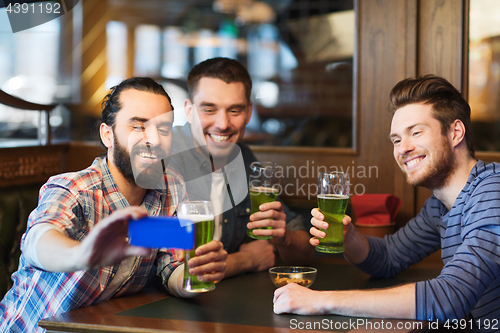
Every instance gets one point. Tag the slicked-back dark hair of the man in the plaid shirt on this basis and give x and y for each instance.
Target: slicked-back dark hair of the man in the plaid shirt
(111, 103)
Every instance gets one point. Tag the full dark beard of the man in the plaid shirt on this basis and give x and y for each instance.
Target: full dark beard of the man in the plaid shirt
(151, 177)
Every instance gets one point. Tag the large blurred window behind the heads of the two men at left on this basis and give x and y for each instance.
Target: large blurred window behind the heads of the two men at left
(298, 53)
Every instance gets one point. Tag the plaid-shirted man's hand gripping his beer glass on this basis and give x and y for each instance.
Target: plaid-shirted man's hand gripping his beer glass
(209, 263)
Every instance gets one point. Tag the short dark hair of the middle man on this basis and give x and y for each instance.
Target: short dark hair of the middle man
(225, 69)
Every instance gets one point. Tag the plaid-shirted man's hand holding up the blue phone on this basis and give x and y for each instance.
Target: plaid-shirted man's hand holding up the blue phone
(106, 244)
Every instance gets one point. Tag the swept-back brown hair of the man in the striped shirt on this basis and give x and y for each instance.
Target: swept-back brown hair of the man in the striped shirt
(447, 102)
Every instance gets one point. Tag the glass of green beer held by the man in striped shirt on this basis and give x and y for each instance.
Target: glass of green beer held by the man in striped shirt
(333, 197)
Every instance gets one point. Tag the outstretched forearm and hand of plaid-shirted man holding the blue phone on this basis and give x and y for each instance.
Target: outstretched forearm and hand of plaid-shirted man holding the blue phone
(105, 245)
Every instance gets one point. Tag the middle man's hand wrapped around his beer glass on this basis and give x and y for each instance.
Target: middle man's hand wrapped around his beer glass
(271, 214)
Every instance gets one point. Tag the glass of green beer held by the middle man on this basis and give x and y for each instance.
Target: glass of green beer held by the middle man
(264, 181)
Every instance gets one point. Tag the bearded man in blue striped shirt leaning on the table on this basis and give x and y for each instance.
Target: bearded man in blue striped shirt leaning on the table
(432, 138)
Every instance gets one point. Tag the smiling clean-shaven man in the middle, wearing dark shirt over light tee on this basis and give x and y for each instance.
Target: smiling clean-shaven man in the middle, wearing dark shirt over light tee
(215, 165)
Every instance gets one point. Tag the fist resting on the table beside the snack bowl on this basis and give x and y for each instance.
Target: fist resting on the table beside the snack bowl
(293, 298)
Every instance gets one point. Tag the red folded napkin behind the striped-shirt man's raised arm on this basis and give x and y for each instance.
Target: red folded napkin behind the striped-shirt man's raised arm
(375, 209)
